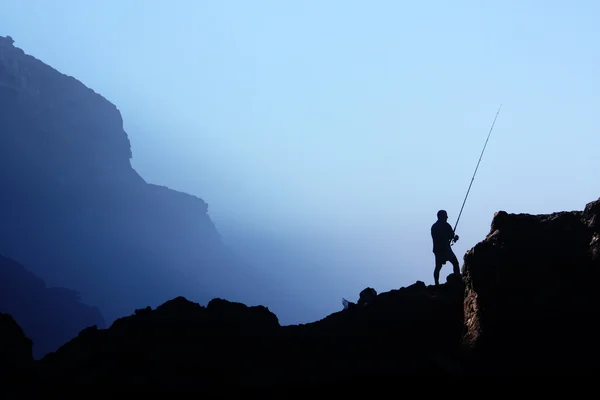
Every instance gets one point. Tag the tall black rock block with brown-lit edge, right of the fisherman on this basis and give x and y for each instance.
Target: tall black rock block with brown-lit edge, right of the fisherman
(531, 303)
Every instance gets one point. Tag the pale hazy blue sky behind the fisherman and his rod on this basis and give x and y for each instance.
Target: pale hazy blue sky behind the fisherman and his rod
(340, 118)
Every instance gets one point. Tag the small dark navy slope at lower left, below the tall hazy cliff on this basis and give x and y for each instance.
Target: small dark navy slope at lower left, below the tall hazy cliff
(50, 317)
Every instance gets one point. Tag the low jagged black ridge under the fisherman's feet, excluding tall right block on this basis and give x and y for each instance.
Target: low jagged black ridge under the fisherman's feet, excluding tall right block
(184, 346)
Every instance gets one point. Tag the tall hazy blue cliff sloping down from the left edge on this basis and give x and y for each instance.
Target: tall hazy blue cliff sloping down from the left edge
(78, 215)
